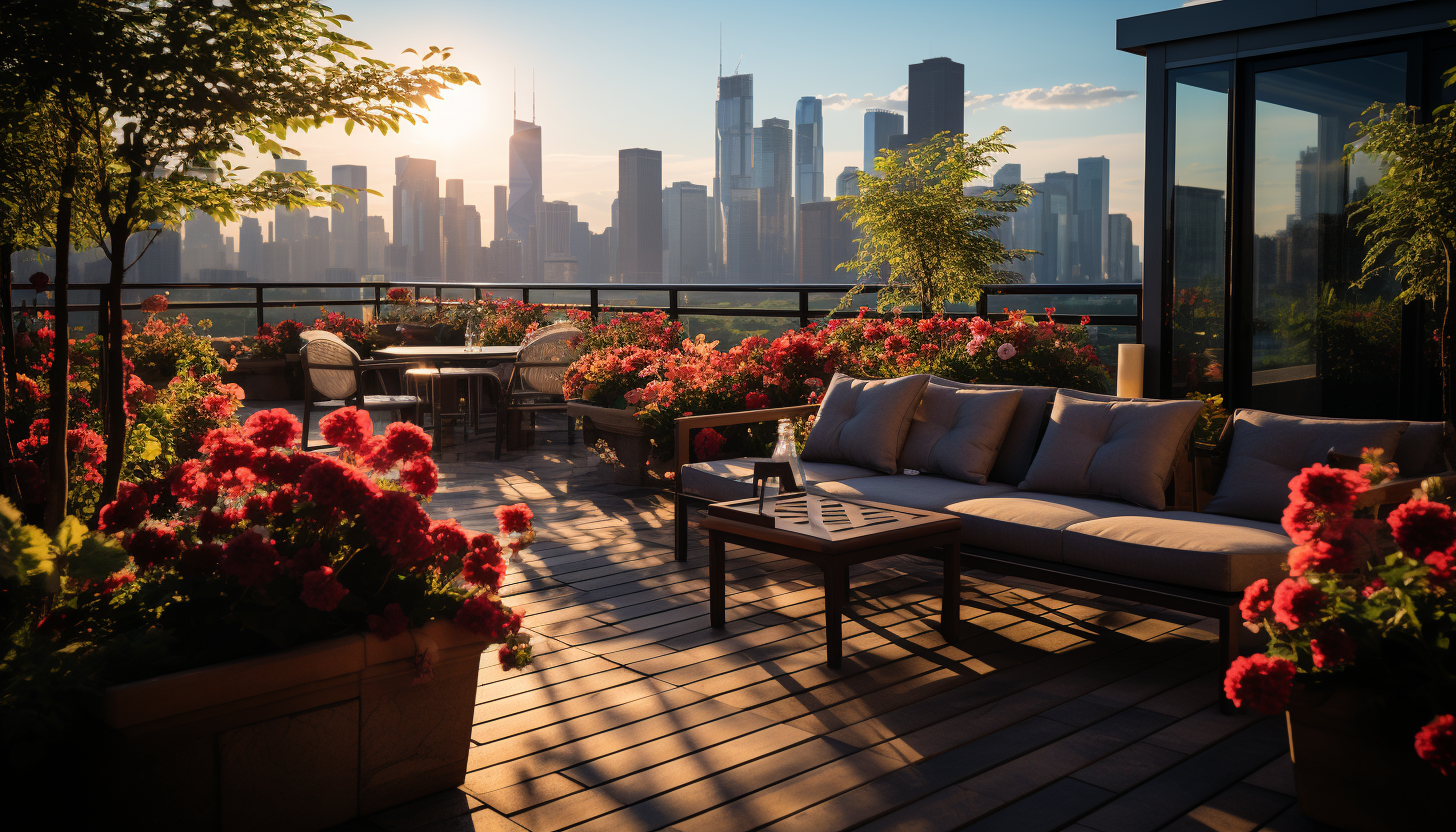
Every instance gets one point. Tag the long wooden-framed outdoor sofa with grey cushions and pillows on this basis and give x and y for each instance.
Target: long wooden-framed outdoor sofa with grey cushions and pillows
(1074, 489)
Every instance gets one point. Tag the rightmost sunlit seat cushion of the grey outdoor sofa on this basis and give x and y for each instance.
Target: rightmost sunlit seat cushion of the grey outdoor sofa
(1186, 549)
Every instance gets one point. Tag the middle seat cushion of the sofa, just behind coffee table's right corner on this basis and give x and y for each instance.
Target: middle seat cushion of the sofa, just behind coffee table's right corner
(1029, 524)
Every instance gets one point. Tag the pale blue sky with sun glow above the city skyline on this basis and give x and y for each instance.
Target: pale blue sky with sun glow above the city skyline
(643, 75)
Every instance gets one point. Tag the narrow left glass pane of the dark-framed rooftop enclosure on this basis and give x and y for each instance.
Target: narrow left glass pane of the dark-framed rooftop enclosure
(1200, 148)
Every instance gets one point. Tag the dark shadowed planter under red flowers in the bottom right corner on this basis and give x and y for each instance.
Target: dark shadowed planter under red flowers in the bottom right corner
(1355, 773)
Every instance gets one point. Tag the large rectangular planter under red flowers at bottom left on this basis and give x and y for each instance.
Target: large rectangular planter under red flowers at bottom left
(302, 739)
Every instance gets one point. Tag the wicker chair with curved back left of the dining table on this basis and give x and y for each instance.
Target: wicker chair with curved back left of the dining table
(334, 378)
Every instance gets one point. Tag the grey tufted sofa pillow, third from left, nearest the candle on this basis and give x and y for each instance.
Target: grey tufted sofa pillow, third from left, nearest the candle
(1112, 448)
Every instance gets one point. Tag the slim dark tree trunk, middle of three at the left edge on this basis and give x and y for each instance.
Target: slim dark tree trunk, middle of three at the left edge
(58, 460)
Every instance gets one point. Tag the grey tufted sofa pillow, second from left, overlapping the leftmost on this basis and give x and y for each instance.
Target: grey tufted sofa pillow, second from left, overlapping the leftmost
(959, 432)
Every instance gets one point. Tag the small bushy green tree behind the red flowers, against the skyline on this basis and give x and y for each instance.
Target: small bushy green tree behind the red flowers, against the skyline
(918, 224)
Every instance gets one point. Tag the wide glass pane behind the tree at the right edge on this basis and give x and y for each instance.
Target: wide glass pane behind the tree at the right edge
(1320, 346)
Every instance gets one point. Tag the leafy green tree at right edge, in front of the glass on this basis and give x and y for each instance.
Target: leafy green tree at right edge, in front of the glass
(1410, 216)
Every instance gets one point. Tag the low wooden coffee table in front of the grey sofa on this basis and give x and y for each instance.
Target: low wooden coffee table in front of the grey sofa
(834, 535)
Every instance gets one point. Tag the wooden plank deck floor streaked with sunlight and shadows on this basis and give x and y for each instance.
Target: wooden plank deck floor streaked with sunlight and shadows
(1052, 710)
